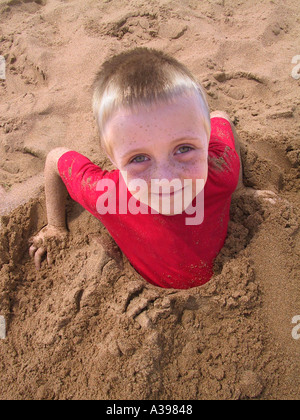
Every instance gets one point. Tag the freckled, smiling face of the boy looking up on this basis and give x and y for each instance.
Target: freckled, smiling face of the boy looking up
(167, 142)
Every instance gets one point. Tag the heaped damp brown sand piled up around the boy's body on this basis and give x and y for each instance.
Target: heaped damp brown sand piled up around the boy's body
(88, 329)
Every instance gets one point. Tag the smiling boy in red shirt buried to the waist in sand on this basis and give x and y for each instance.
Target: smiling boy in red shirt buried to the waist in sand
(155, 125)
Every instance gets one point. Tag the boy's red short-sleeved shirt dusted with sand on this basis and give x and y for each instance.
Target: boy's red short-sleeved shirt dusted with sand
(163, 249)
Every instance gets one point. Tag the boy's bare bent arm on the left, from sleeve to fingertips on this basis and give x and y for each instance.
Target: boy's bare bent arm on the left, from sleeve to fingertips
(56, 194)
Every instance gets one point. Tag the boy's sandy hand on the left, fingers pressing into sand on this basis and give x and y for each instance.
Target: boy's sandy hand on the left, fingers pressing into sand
(40, 244)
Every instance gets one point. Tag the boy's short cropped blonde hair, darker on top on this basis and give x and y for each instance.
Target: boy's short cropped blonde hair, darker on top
(143, 76)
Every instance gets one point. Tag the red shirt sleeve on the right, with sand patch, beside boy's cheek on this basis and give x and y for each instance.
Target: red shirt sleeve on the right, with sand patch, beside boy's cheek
(224, 162)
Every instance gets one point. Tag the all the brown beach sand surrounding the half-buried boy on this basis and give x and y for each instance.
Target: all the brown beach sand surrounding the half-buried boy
(92, 328)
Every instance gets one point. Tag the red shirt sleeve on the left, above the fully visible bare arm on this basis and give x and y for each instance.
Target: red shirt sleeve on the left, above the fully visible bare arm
(81, 178)
